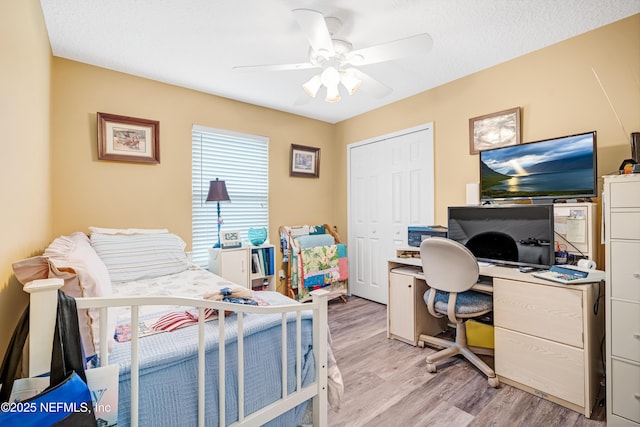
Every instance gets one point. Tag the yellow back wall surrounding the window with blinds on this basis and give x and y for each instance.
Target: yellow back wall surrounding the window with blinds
(88, 192)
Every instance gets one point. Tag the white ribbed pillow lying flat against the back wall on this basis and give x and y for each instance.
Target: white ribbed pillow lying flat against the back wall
(131, 257)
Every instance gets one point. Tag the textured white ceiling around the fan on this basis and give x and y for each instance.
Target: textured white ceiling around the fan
(195, 43)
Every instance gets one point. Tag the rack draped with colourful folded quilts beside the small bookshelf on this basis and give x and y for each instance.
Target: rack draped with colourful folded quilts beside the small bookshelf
(316, 259)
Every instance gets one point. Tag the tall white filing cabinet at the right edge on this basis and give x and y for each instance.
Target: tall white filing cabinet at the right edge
(621, 195)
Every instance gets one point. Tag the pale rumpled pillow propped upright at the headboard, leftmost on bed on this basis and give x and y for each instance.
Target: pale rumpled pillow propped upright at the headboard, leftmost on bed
(72, 259)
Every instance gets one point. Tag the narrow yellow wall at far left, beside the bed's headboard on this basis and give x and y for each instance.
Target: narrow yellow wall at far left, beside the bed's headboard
(25, 171)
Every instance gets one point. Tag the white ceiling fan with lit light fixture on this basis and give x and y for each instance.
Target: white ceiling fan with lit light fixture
(338, 61)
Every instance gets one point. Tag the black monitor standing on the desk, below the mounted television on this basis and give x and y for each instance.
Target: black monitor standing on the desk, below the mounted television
(518, 235)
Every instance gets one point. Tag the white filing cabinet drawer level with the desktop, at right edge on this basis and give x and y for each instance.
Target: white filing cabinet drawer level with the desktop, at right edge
(624, 270)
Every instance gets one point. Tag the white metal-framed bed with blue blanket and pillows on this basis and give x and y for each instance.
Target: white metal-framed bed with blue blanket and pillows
(172, 378)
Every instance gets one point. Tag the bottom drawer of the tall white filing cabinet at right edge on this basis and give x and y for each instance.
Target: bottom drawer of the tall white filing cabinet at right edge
(626, 380)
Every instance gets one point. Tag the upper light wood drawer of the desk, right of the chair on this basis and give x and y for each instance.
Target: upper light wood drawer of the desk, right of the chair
(549, 312)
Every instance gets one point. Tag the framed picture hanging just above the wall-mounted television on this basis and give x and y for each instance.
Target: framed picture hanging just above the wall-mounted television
(494, 130)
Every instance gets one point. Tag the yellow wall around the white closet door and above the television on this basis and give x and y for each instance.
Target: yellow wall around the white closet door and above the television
(556, 88)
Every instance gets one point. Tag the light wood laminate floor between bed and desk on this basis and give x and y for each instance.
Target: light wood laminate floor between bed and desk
(387, 383)
